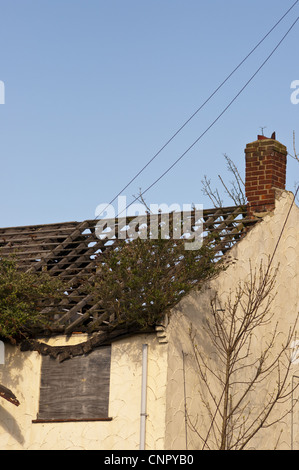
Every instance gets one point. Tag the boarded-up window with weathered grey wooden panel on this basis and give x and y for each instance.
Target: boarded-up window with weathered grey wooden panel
(76, 389)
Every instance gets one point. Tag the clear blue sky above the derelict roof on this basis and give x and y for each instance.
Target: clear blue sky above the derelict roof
(93, 89)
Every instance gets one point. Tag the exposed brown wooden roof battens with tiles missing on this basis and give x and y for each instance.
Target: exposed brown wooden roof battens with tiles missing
(73, 250)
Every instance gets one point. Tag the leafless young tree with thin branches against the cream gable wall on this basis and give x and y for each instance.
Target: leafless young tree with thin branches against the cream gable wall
(235, 418)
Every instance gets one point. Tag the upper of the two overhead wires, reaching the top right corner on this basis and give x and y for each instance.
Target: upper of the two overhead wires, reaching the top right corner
(200, 107)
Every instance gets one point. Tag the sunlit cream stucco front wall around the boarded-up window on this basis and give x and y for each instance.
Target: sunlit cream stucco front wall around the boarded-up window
(21, 373)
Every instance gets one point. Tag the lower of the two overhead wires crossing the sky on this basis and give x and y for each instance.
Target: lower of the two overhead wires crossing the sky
(217, 118)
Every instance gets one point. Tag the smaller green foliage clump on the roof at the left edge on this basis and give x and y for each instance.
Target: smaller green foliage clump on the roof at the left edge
(21, 295)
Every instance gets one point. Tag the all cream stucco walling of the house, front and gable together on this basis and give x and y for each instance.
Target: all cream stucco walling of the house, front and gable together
(173, 384)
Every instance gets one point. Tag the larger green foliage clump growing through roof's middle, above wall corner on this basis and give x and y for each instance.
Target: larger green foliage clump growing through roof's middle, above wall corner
(140, 280)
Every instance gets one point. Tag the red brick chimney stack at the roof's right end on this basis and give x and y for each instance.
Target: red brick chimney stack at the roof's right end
(266, 162)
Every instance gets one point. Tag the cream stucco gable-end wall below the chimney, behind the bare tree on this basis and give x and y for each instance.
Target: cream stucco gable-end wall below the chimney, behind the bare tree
(257, 246)
